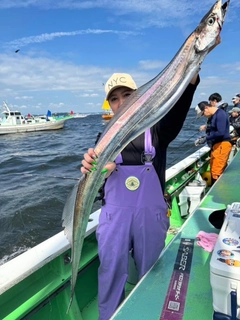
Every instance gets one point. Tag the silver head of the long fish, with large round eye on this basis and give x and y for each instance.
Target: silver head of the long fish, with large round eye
(210, 27)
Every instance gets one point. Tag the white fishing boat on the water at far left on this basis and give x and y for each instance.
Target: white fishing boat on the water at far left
(12, 121)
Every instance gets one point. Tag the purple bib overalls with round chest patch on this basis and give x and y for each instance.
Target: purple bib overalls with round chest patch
(134, 217)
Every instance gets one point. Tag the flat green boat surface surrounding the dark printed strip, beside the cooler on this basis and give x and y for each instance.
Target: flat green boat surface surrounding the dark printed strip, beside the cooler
(147, 300)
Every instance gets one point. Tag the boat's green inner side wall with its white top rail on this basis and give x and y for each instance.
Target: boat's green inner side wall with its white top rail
(46, 268)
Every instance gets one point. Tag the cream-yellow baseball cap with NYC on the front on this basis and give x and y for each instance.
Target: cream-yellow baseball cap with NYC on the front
(119, 80)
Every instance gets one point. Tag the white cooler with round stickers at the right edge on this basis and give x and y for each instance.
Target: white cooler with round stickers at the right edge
(225, 267)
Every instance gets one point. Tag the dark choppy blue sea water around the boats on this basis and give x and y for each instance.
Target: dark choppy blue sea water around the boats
(39, 169)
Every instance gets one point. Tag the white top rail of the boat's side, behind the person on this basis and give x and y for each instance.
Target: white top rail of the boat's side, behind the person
(23, 265)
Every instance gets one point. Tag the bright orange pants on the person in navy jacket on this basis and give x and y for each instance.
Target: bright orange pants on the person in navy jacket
(219, 158)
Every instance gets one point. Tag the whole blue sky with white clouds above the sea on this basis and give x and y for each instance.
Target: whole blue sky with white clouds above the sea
(69, 48)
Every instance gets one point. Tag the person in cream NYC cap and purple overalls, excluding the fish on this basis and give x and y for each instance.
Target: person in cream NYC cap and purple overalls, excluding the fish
(135, 212)
